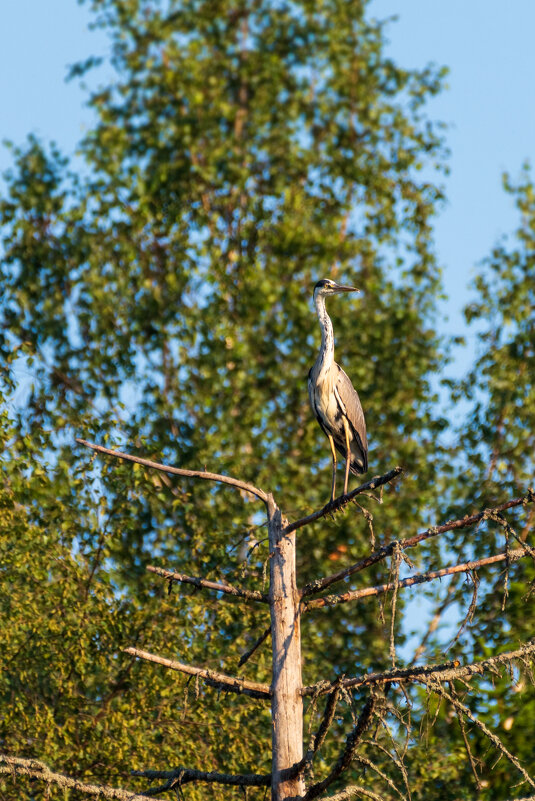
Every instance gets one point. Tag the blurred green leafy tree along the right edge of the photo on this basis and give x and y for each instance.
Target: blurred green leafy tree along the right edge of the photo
(497, 463)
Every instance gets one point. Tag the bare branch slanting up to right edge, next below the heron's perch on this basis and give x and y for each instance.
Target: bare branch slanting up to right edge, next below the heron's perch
(410, 542)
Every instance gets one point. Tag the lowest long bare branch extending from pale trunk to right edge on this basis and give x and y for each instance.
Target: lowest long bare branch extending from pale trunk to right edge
(442, 672)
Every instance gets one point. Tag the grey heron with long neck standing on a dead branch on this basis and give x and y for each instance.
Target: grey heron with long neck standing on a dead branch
(334, 401)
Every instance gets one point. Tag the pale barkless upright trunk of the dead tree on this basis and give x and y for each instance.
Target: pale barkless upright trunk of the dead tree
(287, 703)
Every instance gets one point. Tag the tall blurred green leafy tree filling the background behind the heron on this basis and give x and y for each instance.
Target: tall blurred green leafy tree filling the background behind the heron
(160, 299)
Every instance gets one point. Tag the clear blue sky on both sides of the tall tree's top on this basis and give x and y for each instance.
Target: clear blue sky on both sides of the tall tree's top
(490, 104)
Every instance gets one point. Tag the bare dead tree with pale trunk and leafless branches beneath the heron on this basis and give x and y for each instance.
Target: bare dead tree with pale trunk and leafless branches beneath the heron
(291, 763)
